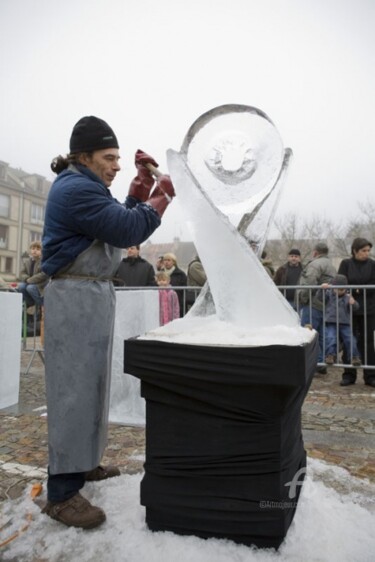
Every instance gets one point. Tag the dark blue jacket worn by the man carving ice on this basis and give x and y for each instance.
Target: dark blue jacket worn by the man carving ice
(81, 209)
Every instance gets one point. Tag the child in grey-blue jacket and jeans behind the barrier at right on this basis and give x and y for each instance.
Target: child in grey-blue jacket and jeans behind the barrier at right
(337, 321)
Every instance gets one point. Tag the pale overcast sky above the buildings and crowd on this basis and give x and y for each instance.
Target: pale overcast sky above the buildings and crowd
(151, 68)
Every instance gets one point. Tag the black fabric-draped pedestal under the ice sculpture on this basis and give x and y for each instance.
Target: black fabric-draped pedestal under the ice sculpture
(223, 437)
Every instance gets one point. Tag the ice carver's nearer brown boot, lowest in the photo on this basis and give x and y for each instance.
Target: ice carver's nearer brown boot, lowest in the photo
(75, 512)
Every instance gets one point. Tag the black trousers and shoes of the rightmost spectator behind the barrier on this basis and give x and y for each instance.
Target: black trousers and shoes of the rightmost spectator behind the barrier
(363, 337)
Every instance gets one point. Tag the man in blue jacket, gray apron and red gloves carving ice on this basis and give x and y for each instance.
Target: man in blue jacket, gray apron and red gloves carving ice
(84, 231)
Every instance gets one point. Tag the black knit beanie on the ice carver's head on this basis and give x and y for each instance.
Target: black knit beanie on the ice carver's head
(92, 133)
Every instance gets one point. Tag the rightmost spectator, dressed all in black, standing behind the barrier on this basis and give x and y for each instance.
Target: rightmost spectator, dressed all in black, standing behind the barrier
(360, 270)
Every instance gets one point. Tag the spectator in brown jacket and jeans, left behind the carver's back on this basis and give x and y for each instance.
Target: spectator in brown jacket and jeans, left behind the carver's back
(32, 279)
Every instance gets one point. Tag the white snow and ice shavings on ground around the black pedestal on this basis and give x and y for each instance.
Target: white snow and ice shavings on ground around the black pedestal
(328, 527)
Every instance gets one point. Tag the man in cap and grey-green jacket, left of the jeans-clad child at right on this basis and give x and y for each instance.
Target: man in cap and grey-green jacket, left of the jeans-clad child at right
(318, 271)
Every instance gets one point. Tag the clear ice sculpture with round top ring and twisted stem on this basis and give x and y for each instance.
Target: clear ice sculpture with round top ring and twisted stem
(228, 177)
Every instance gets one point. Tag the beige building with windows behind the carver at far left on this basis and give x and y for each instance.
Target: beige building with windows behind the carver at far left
(22, 204)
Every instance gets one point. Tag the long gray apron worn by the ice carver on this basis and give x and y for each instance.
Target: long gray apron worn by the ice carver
(79, 321)
